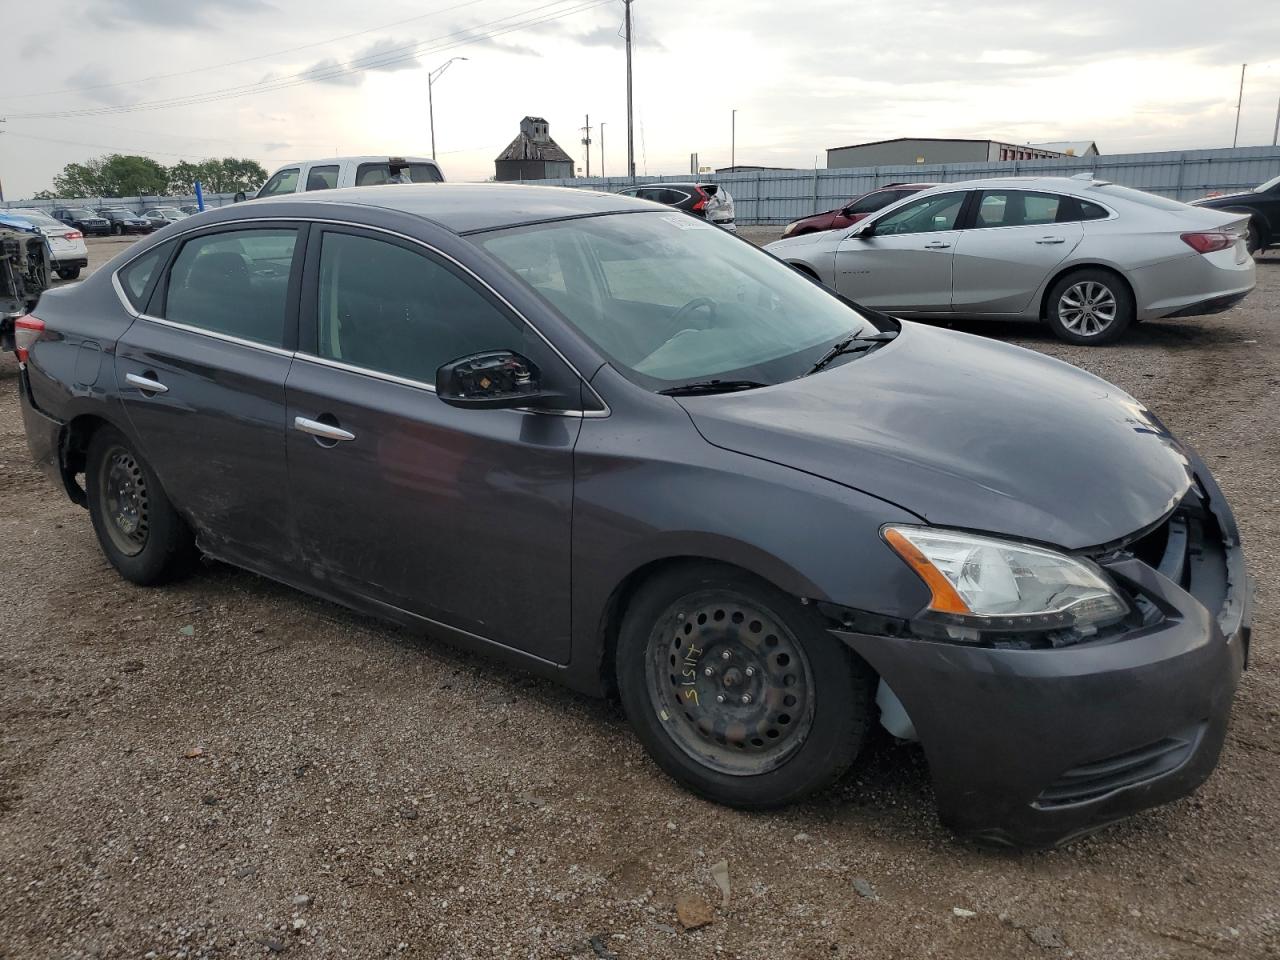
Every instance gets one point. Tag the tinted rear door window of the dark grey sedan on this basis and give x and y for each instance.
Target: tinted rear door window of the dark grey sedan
(235, 284)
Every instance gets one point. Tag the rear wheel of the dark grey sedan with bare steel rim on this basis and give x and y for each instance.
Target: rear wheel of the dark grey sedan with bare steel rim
(136, 525)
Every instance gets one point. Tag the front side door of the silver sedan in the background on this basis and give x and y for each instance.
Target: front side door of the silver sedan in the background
(903, 262)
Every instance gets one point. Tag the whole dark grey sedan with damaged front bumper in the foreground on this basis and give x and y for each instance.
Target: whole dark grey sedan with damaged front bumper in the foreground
(621, 450)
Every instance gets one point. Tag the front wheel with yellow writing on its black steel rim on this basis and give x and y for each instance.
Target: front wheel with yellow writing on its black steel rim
(798, 705)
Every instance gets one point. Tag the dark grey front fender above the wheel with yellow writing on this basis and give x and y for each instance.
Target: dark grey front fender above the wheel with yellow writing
(648, 488)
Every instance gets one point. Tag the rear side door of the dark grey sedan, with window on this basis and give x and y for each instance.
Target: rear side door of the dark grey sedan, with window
(202, 376)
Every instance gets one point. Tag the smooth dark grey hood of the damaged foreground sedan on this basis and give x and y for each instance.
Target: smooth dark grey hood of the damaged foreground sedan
(970, 433)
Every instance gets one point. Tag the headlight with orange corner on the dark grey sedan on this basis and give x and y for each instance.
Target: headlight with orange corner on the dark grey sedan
(993, 584)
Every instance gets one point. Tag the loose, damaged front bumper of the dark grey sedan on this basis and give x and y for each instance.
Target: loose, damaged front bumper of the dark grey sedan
(1036, 747)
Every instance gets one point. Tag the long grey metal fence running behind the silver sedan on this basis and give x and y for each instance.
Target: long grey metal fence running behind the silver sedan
(781, 196)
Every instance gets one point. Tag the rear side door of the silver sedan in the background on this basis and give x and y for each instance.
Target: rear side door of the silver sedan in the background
(1014, 240)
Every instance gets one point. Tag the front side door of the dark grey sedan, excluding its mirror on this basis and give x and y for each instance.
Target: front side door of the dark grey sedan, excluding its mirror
(460, 516)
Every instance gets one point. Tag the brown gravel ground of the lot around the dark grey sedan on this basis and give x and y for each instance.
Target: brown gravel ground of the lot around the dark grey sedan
(226, 769)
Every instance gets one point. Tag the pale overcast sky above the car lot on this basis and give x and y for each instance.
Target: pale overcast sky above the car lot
(804, 76)
